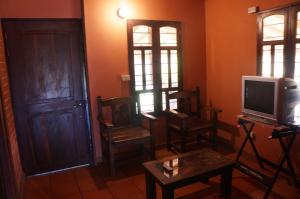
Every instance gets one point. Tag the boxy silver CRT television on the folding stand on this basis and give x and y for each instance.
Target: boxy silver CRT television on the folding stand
(270, 99)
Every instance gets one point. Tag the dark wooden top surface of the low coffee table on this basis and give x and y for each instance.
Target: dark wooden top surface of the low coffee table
(184, 166)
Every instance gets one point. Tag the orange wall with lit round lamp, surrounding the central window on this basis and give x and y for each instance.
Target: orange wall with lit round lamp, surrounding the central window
(106, 36)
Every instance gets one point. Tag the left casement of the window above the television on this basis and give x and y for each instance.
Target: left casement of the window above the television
(272, 44)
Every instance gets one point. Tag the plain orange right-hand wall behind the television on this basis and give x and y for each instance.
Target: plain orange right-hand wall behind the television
(231, 53)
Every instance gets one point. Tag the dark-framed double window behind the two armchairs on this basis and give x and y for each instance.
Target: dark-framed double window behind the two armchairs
(154, 49)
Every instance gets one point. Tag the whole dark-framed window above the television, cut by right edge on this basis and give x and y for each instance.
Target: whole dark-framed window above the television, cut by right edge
(279, 44)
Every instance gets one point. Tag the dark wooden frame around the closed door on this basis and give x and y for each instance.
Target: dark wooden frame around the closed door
(86, 88)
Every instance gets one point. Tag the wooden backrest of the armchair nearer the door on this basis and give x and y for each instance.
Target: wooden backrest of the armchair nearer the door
(118, 110)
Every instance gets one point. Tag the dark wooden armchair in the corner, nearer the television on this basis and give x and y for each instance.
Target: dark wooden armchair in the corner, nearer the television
(189, 119)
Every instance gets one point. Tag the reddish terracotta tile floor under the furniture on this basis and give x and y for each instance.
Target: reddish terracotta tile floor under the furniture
(129, 183)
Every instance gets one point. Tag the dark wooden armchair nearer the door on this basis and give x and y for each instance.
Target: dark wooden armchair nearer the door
(120, 126)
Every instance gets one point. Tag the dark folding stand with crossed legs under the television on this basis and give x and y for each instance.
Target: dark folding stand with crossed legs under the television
(279, 132)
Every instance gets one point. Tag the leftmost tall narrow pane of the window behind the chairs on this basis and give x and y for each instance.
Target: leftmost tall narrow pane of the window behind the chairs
(138, 71)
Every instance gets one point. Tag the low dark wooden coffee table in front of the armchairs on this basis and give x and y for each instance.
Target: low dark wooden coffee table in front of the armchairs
(185, 169)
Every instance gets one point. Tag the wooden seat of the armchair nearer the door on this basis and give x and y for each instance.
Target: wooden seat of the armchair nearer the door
(130, 134)
